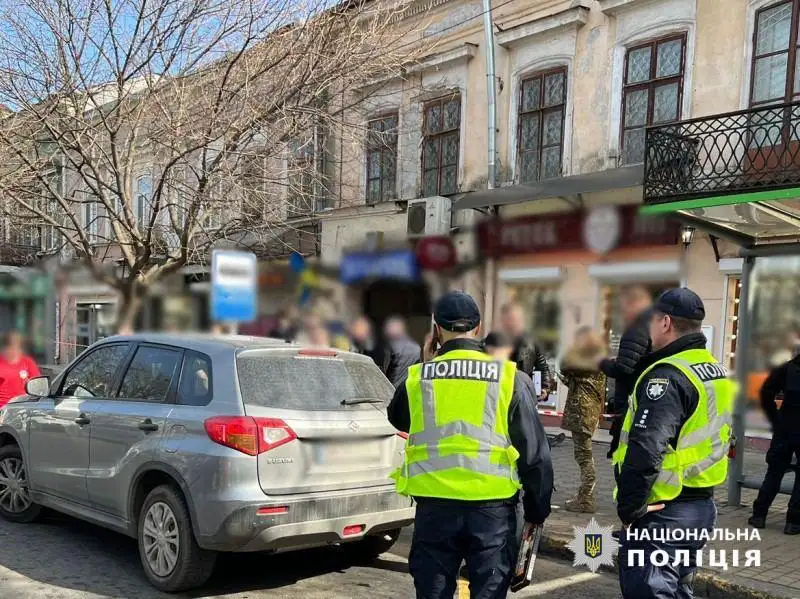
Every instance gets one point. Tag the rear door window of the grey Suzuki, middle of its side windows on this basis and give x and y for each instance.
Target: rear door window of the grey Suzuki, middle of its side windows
(150, 374)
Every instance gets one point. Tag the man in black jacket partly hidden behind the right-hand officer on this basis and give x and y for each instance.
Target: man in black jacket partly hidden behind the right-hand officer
(634, 345)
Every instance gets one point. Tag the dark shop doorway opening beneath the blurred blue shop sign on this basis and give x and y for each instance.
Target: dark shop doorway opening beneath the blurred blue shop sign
(385, 298)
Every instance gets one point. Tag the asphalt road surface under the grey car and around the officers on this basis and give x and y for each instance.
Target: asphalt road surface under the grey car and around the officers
(61, 558)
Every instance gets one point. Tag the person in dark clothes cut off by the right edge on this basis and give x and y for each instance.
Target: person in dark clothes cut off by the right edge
(782, 383)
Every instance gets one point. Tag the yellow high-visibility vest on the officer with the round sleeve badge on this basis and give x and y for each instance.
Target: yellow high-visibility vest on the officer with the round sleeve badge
(700, 457)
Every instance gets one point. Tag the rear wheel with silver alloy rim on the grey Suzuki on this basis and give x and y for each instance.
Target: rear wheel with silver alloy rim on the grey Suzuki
(170, 555)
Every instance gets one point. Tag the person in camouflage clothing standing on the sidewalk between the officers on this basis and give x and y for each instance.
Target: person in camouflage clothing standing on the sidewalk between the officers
(585, 398)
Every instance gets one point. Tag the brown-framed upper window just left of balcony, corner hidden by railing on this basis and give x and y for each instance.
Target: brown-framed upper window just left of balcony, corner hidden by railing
(652, 90)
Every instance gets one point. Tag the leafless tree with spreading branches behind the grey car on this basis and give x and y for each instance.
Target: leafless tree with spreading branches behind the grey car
(143, 132)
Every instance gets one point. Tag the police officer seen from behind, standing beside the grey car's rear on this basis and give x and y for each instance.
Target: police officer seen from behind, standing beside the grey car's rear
(474, 440)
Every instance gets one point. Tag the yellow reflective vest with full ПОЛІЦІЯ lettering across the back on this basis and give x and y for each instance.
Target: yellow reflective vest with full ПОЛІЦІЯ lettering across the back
(458, 445)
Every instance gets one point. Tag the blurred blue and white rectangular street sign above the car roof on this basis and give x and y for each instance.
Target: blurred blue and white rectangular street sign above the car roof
(234, 286)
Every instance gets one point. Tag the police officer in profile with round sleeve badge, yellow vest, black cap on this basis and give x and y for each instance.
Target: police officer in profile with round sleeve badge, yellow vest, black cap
(672, 452)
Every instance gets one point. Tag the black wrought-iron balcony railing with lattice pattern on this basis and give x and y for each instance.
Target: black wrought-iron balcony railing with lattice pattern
(738, 152)
